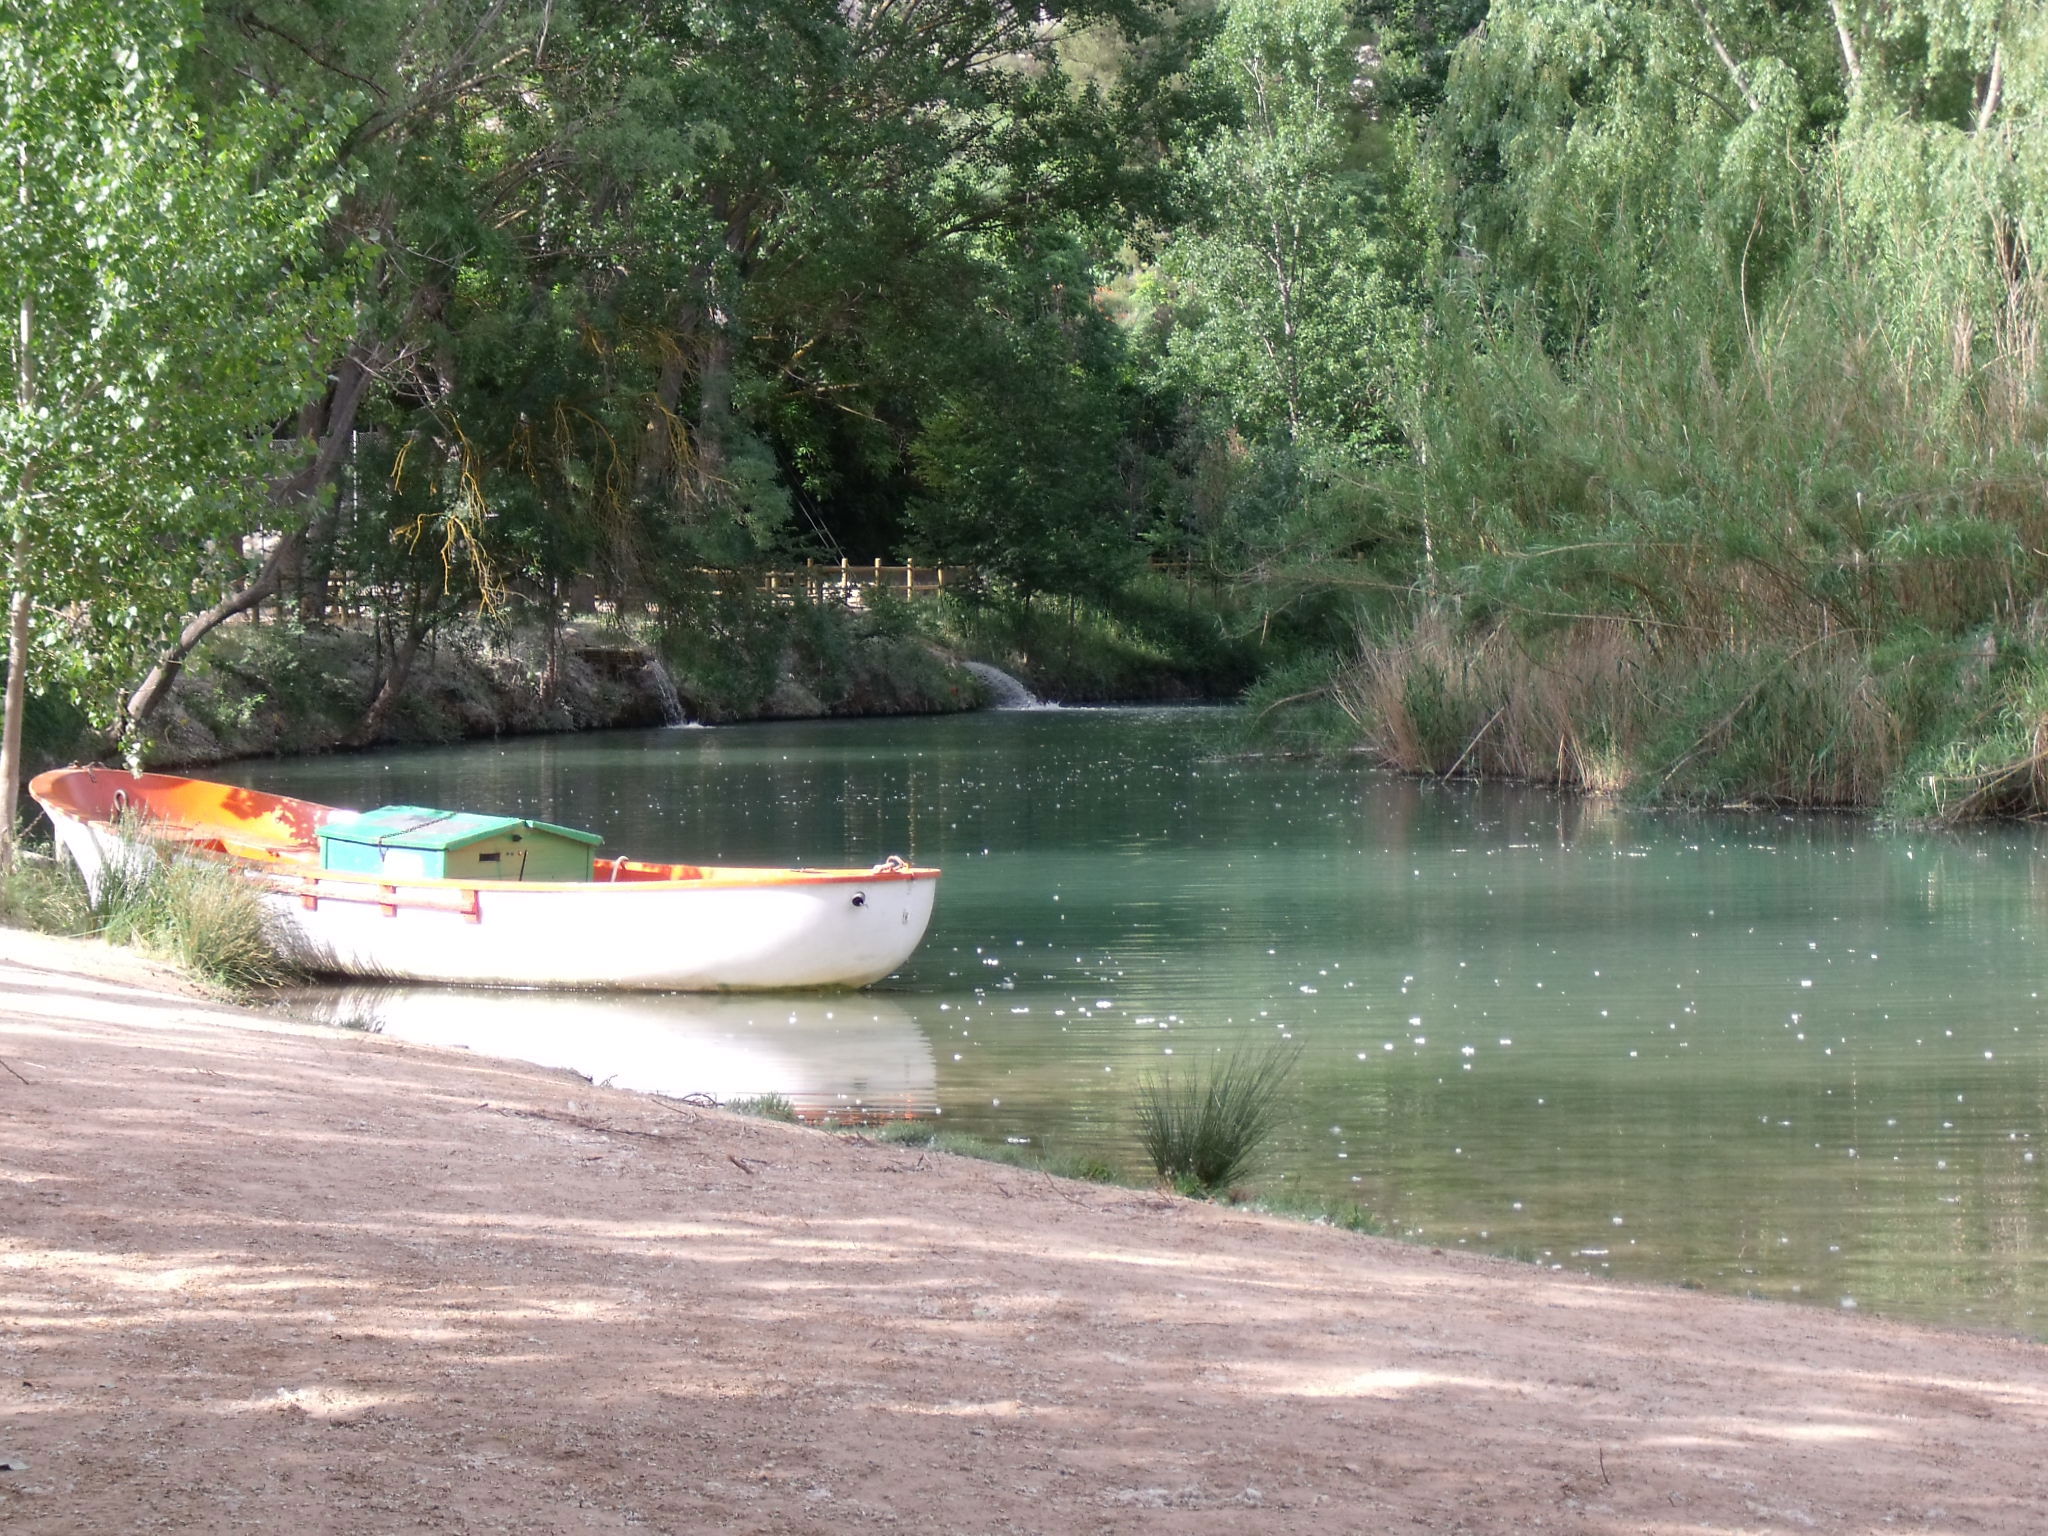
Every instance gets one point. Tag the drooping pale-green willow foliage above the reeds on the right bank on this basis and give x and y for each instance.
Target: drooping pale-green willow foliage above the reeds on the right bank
(1744, 304)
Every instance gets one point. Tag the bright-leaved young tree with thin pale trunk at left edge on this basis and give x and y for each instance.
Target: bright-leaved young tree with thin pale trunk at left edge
(159, 333)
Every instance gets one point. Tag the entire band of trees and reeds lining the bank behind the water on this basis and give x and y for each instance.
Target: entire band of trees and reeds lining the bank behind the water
(1625, 396)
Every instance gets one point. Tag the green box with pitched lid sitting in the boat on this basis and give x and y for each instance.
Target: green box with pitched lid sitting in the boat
(417, 843)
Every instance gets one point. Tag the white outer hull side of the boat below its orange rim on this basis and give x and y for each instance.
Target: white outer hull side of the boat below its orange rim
(650, 937)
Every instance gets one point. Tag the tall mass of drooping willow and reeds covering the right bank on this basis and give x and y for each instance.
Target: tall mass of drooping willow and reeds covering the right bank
(1727, 472)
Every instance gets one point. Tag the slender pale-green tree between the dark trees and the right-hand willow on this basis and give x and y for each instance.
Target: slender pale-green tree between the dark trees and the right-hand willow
(1285, 304)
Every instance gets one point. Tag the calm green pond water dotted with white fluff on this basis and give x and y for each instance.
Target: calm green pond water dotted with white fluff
(1781, 1056)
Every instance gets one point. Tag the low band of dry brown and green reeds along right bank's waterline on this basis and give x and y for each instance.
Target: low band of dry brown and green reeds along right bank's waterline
(1607, 708)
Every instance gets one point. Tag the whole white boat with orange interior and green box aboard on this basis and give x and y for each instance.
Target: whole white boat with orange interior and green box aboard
(435, 896)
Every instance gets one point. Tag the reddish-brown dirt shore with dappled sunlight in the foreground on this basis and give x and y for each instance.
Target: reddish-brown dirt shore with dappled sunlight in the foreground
(298, 1281)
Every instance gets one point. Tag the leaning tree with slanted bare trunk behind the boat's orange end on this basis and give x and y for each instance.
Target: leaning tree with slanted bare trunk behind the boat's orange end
(433, 122)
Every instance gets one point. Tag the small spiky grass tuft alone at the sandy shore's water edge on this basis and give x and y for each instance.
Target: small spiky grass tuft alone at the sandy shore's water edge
(1205, 1123)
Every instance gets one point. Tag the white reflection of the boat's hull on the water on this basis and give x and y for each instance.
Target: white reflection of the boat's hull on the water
(851, 1054)
